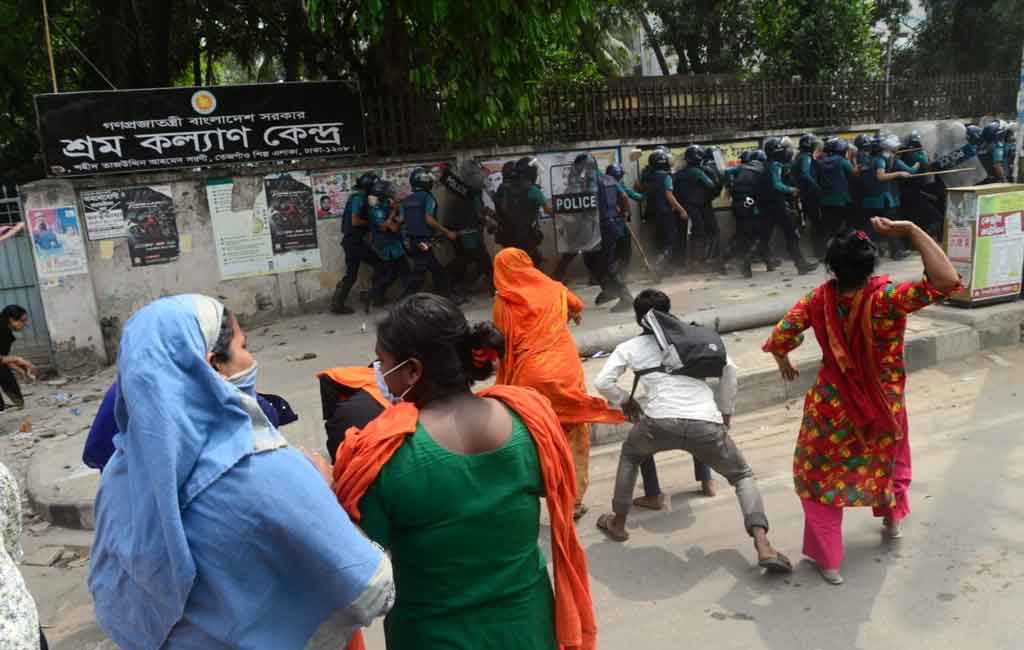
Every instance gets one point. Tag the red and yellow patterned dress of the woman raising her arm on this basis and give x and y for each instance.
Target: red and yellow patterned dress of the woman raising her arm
(837, 462)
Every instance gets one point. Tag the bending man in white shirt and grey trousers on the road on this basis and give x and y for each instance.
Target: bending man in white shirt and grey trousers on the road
(681, 414)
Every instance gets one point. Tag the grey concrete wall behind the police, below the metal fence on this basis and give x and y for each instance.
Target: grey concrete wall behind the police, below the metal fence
(87, 313)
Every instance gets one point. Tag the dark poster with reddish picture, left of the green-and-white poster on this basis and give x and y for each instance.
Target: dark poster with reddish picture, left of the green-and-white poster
(153, 229)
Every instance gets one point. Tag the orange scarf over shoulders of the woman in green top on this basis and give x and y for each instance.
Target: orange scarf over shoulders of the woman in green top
(365, 453)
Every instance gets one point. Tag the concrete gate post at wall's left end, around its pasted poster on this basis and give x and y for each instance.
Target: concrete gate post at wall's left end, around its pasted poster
(70, 304)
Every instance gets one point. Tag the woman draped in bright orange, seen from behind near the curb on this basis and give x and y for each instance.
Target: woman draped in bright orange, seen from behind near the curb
(533, 312)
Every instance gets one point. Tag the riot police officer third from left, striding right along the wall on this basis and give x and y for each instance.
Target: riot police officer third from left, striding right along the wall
(418, 215)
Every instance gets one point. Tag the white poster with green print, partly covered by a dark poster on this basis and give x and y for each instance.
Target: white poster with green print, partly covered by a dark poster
(242, 233)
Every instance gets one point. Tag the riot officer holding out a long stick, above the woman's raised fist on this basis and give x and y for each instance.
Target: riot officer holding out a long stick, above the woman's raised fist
(881, 192)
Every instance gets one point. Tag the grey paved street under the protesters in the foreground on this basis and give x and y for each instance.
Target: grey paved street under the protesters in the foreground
(687, 576)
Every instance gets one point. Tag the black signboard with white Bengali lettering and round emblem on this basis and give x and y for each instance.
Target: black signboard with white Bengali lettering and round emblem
(88, 134)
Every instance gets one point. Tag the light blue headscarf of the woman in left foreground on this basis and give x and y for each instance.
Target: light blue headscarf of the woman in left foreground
(184, 426)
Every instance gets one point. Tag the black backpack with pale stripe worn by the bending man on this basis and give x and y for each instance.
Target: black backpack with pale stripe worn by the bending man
(688, 350)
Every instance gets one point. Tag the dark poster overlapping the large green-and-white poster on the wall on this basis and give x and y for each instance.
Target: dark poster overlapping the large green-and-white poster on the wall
(290, 206)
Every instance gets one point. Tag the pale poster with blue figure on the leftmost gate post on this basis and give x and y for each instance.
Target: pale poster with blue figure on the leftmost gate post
(57, 241)
